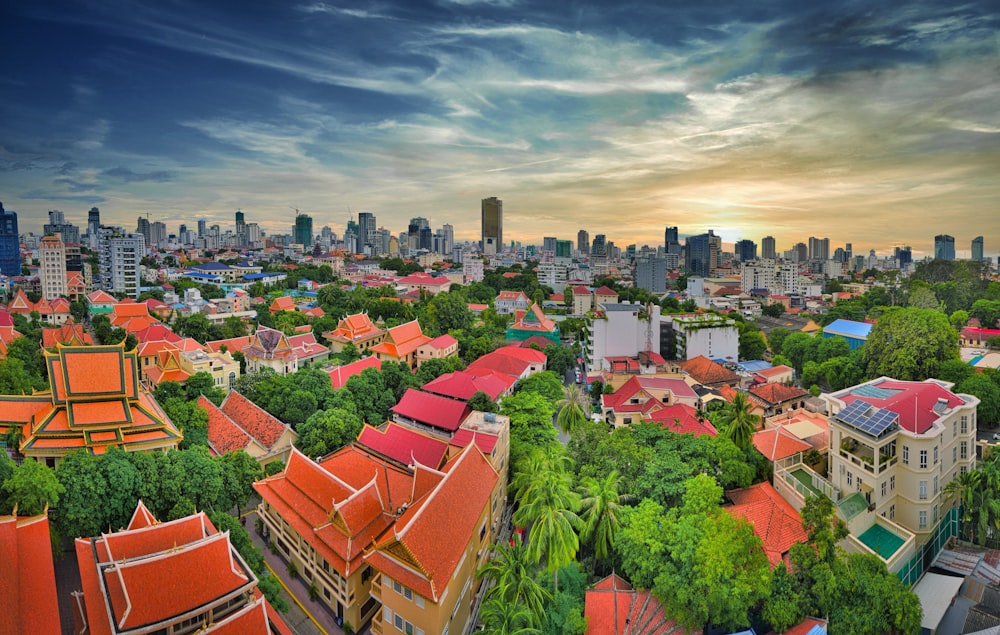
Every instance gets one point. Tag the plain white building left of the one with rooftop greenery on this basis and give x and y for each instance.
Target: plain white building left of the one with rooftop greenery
(621, 332)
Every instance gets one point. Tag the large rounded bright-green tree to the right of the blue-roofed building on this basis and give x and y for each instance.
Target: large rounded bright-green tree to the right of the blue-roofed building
(909, 344)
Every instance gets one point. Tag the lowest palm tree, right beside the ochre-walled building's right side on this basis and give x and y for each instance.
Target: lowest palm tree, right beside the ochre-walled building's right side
(514, 583)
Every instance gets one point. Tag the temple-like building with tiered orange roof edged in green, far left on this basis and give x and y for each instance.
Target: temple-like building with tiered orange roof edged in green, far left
(94, 401)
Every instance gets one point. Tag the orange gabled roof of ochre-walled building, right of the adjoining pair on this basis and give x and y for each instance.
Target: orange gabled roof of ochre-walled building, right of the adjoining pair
(431, 537)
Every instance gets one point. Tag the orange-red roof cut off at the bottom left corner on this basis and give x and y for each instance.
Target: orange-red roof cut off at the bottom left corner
(28, 599)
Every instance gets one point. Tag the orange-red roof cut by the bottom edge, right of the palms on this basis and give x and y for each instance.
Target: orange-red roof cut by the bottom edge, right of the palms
(613, 607)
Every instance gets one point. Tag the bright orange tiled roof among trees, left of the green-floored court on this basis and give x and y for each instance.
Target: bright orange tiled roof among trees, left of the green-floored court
(774, 521)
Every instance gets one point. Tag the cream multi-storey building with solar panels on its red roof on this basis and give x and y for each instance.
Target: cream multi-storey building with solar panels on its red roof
(900, 443)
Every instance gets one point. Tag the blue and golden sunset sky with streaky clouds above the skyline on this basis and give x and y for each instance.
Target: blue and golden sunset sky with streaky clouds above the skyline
(870, 122)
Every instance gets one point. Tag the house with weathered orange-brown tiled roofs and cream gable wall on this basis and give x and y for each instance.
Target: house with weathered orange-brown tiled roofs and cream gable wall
(239, 424)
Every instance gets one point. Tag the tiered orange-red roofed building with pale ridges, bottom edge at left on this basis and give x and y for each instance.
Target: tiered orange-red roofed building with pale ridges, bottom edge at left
(140, 580)
